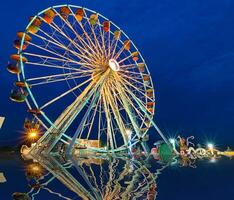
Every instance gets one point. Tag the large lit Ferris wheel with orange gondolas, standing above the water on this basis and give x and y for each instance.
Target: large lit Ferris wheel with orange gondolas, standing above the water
(107, 81)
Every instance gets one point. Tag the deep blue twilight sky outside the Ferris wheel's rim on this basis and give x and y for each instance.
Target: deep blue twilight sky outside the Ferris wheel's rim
(189, 49)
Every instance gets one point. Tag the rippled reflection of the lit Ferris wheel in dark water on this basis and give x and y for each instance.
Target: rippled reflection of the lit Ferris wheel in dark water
(123, 178)
